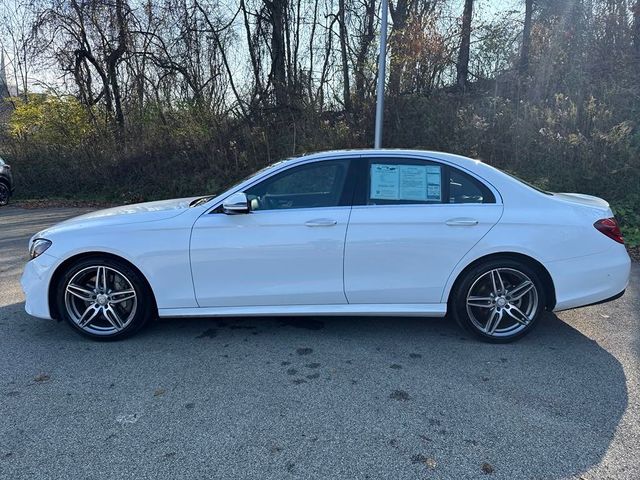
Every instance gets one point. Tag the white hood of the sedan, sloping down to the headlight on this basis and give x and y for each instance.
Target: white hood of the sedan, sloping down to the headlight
(126, 214)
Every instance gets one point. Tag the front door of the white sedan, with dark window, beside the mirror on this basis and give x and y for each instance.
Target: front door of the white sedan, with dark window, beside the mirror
(287, 251)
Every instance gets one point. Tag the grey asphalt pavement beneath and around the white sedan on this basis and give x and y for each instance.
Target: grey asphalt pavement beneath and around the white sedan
(314, 398)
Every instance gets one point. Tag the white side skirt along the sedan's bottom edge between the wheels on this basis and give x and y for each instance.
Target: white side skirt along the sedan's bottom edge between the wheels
(398, 310)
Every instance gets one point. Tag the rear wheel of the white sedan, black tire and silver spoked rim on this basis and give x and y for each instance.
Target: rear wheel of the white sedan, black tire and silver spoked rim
(504, 311)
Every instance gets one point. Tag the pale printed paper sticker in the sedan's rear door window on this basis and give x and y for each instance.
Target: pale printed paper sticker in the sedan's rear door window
(406, 182)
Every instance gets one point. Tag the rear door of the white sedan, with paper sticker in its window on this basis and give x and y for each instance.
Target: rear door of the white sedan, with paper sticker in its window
(411, 223)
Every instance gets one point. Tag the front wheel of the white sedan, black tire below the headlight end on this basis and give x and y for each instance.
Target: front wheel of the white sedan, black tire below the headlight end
(121, 315)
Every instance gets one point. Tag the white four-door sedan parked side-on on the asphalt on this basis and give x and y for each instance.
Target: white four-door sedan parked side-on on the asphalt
(362, 232)
